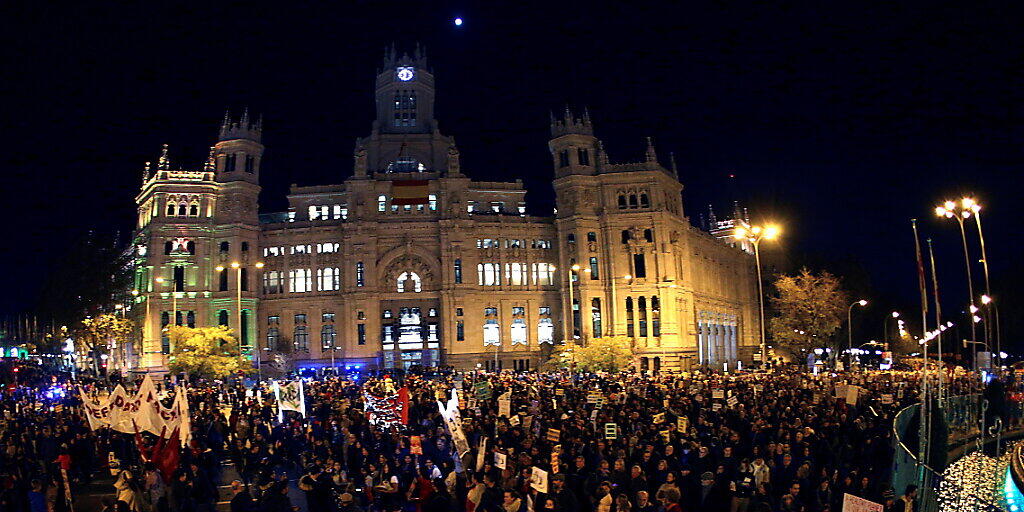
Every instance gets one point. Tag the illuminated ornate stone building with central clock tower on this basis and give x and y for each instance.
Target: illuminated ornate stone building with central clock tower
(410, 262)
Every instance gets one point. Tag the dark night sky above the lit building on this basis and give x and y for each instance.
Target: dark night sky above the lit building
(840, 121)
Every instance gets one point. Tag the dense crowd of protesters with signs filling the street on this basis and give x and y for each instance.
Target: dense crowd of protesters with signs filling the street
(777, 442)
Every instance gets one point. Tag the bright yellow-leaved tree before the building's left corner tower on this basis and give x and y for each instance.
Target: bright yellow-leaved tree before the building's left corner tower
(206, 352)
